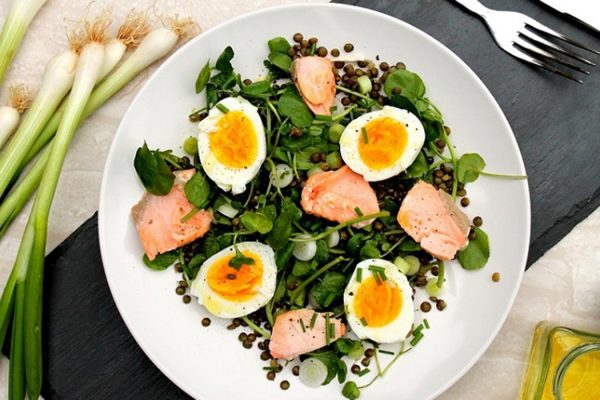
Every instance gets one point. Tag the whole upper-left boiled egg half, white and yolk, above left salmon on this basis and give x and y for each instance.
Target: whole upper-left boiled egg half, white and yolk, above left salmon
(232, 144)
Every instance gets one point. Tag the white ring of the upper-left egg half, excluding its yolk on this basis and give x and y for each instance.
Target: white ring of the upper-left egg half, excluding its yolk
(225, 177)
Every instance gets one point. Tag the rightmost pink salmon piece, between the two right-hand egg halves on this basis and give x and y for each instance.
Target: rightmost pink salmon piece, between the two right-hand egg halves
(432, 218)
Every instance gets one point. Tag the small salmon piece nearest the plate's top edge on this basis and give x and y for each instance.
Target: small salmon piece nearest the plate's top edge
(315, 81)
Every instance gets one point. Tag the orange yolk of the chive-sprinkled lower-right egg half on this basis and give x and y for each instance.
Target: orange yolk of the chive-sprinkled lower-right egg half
(376, 302)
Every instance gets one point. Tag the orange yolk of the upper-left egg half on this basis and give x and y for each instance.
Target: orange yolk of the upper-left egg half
(234, 141)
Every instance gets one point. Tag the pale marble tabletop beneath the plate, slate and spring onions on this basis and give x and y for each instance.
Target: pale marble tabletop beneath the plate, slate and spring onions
(562, 286)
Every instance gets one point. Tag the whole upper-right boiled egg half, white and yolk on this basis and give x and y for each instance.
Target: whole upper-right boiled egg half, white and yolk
(381, 144)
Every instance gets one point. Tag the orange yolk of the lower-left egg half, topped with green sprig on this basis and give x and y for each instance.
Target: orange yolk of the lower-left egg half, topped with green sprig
(232, 284)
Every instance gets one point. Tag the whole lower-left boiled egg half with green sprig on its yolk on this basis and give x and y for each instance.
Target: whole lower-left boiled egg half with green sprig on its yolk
(229, 292)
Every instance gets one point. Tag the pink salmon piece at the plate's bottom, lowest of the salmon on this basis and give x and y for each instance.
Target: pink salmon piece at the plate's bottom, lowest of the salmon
(289, 340)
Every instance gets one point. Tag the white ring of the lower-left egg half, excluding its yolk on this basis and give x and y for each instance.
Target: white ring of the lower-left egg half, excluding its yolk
(224, 308)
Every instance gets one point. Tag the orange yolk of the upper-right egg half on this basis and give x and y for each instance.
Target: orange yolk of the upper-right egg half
(382, 142)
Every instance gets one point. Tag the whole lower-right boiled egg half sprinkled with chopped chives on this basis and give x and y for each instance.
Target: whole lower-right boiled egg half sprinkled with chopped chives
(378, 302)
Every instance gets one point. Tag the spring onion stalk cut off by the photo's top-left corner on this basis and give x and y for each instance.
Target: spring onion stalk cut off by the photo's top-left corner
(19, 17)
